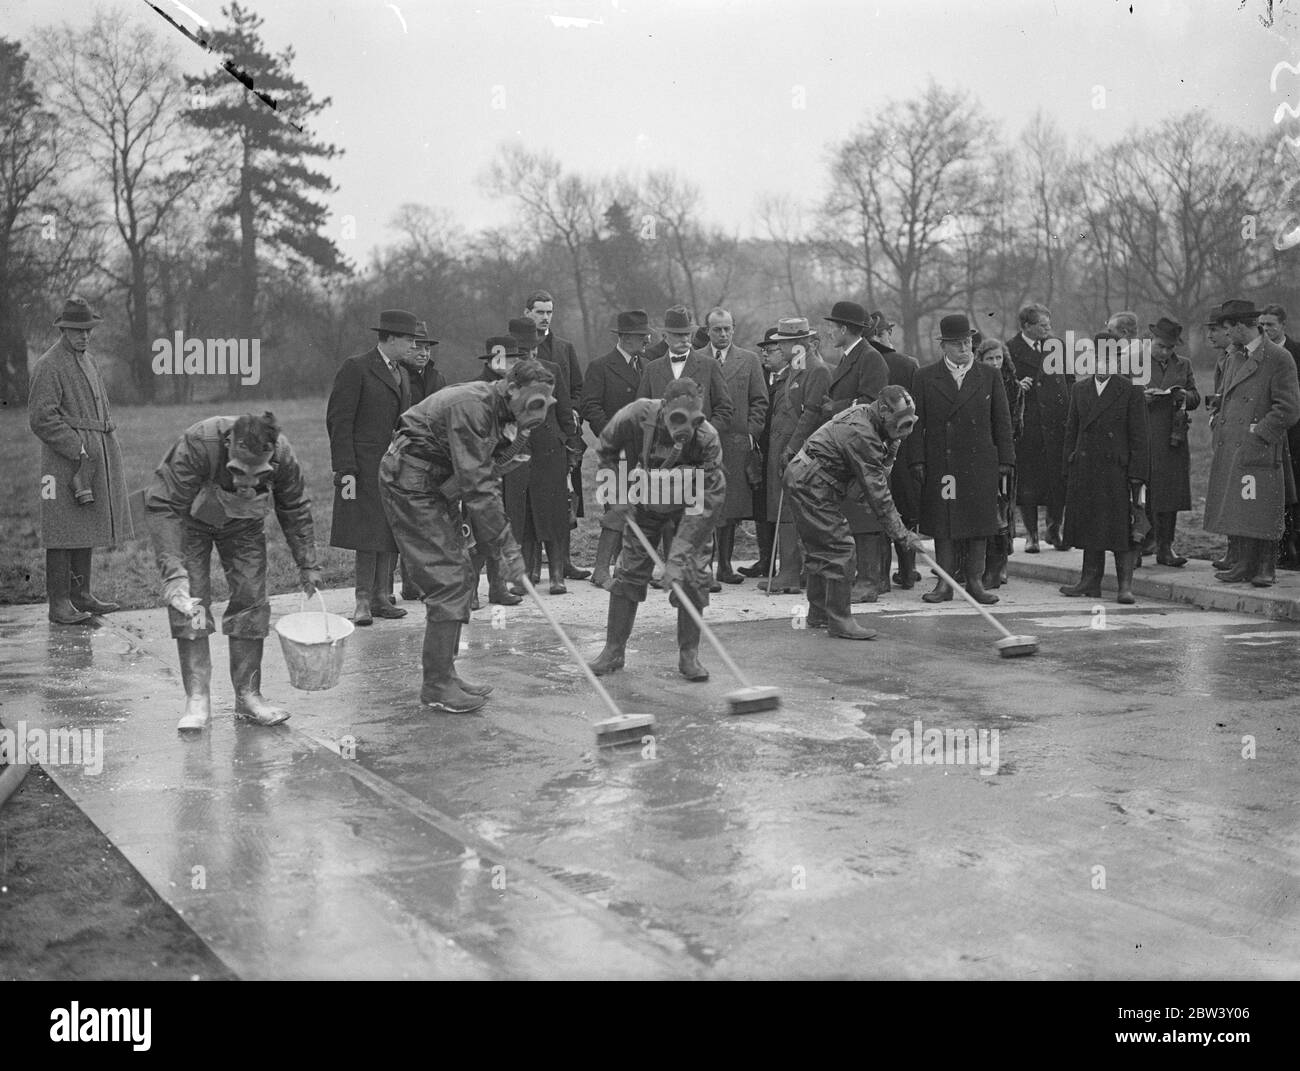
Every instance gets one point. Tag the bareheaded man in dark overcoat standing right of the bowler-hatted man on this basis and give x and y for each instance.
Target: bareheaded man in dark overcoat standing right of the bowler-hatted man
(1047, 402)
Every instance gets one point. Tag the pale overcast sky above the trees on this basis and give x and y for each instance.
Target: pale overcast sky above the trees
(712, 88)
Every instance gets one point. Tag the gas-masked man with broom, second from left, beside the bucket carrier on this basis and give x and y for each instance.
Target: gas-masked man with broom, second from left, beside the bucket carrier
(448, 457)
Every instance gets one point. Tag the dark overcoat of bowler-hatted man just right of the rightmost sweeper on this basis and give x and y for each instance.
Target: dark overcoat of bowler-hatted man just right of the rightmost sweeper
(961, 437)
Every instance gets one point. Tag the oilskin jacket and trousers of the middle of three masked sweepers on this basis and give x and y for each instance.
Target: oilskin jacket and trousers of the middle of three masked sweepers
(627, 435)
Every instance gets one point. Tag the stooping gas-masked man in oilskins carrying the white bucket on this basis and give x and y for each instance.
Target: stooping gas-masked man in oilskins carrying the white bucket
(215, 488)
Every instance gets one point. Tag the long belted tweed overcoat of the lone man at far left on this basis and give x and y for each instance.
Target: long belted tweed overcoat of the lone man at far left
(68, 410)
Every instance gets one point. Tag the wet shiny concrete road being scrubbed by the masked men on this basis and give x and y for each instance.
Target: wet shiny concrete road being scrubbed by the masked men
(1123, 835)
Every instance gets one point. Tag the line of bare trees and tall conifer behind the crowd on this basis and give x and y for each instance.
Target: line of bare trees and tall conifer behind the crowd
(187, 205)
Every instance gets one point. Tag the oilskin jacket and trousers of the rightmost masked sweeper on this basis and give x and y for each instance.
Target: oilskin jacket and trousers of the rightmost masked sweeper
(847, 458)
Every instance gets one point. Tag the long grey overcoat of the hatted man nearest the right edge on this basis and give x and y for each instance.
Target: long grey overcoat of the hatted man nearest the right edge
(1251, 478)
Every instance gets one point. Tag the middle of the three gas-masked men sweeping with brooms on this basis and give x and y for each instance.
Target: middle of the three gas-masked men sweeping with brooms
(658, 437)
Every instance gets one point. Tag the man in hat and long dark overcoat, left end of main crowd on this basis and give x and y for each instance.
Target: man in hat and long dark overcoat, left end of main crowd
(371, 392)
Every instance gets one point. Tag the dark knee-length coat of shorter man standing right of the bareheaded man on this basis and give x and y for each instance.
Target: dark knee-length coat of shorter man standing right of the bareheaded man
(1106, 448)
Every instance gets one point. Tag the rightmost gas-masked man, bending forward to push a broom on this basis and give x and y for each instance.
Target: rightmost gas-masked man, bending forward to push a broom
(848, 458)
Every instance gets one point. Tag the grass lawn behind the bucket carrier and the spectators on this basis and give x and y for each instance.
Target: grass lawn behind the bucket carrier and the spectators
(129, 576)
